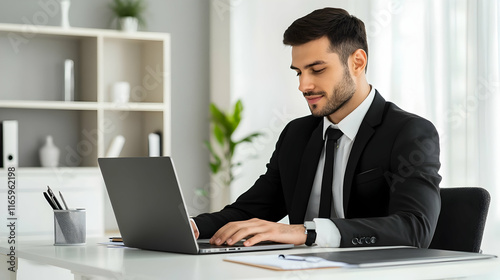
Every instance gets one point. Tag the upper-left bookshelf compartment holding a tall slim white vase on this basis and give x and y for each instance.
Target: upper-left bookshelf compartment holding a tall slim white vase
(46, 76)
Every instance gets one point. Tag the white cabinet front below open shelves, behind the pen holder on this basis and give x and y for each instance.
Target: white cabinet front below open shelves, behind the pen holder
(82, 187)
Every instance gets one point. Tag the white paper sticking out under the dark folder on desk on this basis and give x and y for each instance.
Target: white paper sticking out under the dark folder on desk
(275, 263)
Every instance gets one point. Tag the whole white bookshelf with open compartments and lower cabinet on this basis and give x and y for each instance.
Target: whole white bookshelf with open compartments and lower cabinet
(31, 91)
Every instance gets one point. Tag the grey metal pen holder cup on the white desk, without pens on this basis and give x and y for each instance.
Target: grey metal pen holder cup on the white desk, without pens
(70, 227)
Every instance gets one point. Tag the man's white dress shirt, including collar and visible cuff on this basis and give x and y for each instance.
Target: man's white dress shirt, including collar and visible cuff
(327, 234)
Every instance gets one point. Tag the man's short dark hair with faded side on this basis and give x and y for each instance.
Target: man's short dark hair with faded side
(346, 32)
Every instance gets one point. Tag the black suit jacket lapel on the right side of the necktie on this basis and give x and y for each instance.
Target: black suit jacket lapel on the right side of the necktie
(372, 119)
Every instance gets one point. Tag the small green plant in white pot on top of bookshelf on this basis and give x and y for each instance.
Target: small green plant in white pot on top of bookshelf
(130, 13)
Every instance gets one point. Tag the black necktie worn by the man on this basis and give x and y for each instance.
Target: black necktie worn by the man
(325, 204)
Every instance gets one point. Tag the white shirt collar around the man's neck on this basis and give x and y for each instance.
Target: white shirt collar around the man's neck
(351, 123)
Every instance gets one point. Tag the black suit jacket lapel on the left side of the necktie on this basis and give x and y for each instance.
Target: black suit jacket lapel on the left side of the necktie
(305, 179)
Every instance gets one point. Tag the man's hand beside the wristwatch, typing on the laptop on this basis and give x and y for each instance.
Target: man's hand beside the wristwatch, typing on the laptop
(259, 230)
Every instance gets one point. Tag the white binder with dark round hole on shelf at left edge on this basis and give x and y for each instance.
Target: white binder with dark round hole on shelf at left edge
(9, 143)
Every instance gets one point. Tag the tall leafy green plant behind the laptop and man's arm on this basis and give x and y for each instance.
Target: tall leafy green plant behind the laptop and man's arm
(222, 148)
